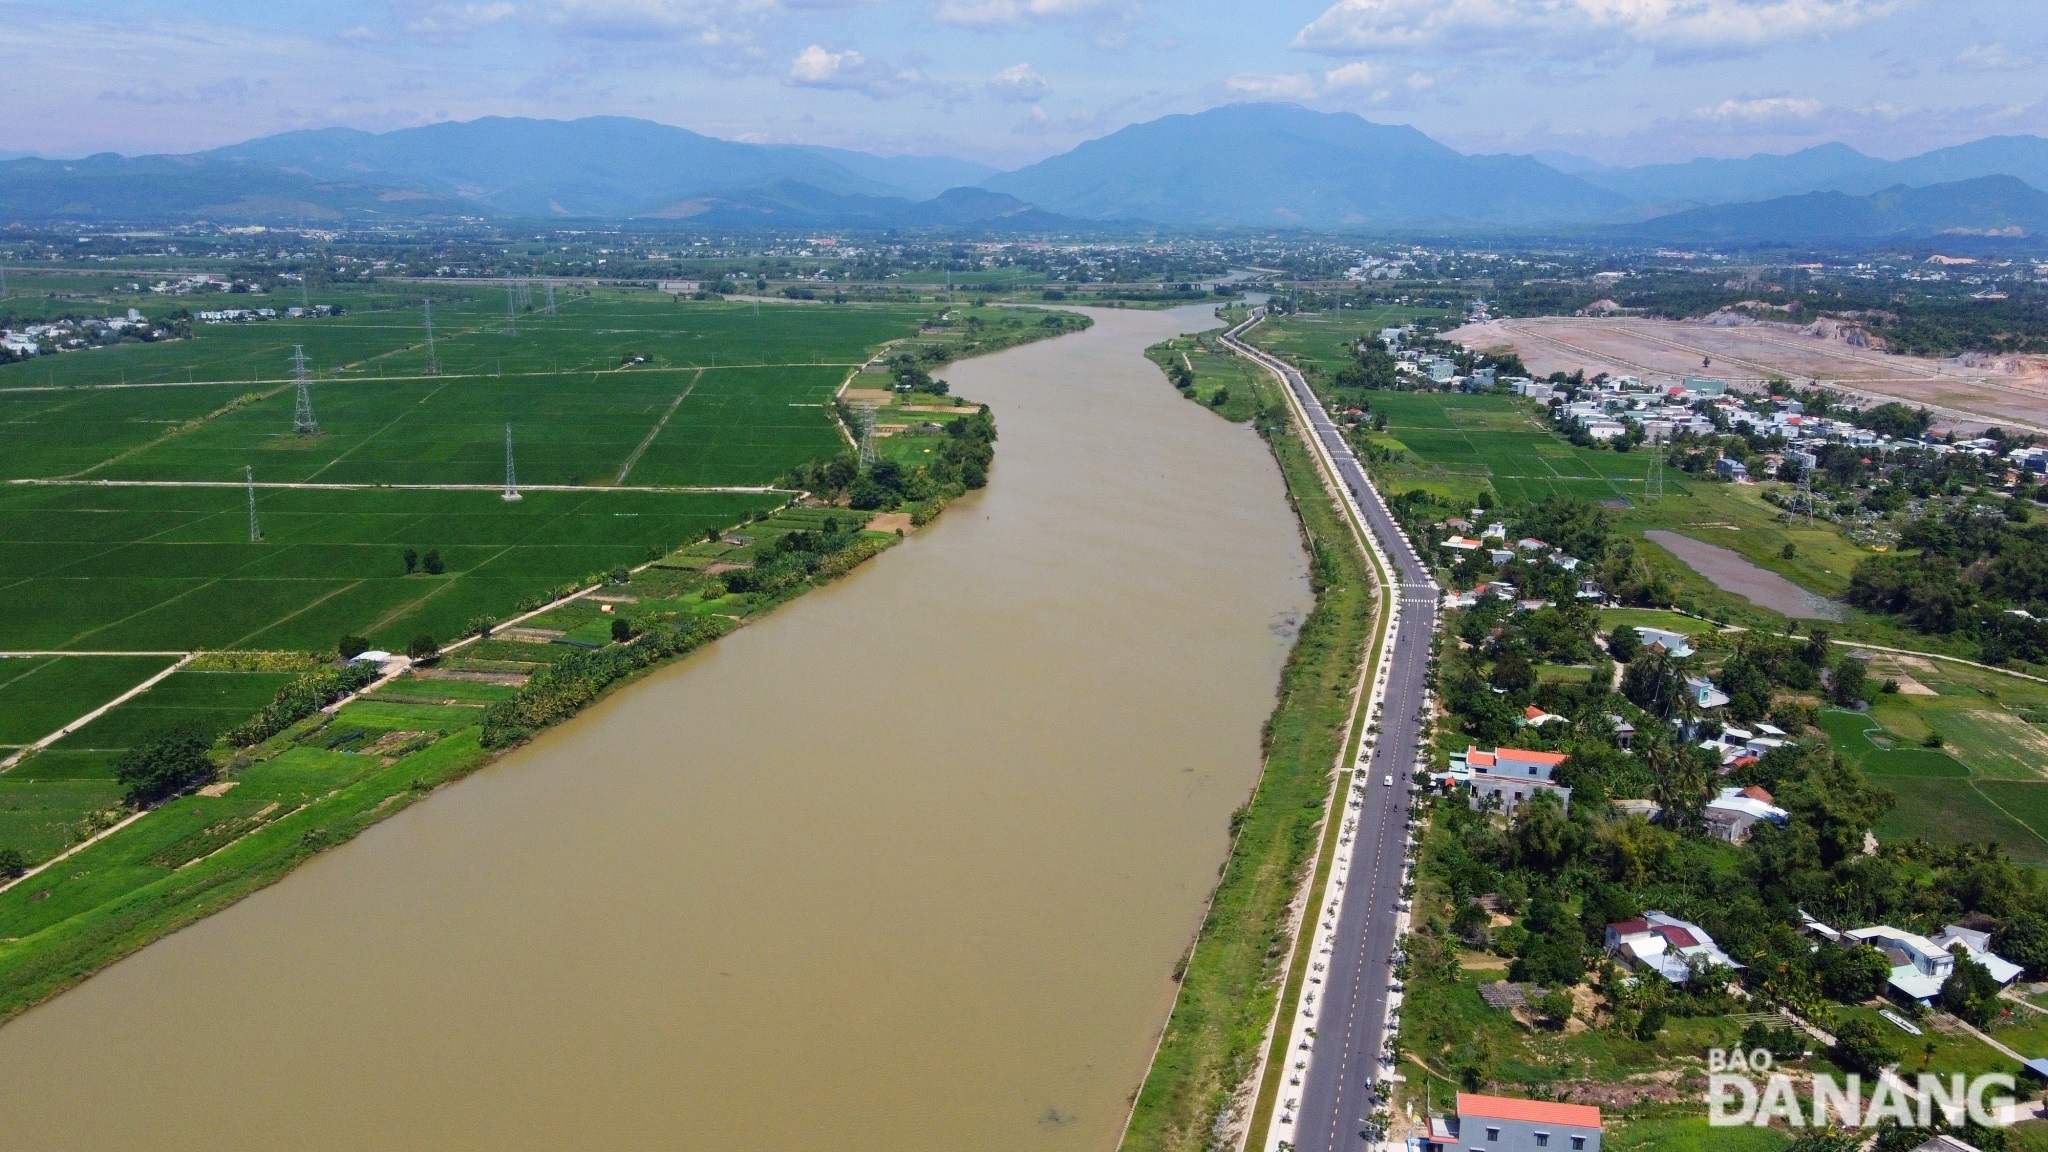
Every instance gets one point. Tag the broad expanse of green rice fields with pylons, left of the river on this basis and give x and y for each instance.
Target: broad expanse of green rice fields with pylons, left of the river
(613, 395)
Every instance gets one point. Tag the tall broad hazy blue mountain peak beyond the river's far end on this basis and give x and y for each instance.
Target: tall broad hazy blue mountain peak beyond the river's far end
(1289, 167)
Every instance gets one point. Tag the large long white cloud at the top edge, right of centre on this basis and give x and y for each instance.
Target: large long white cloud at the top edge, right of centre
(1578, 28)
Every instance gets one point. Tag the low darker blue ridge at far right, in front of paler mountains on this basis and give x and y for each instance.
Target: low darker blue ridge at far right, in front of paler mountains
(1988, 206)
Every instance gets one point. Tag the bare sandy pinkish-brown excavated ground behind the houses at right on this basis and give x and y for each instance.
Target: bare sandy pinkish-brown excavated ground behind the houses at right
(1967, 393)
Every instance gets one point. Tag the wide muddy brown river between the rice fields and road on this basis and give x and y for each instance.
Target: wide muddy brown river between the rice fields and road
(902, 868)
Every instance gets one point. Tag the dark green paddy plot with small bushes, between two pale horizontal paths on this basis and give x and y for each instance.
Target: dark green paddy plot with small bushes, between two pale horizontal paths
(173, 569)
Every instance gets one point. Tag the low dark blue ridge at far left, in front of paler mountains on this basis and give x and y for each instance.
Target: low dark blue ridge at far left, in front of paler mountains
(181, 188)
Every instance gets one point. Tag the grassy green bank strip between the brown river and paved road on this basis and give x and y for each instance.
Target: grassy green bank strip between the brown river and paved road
(1201, 1075)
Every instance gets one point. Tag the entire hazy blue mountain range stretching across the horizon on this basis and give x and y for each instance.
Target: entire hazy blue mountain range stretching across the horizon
(1230, 167)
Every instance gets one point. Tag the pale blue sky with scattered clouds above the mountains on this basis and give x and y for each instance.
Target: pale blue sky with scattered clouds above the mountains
(1013, 81)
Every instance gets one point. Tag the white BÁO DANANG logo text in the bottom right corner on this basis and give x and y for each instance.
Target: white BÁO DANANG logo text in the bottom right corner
(1742, 1089)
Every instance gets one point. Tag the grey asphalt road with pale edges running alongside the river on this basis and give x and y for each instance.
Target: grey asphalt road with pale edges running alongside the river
(1353, 983)
